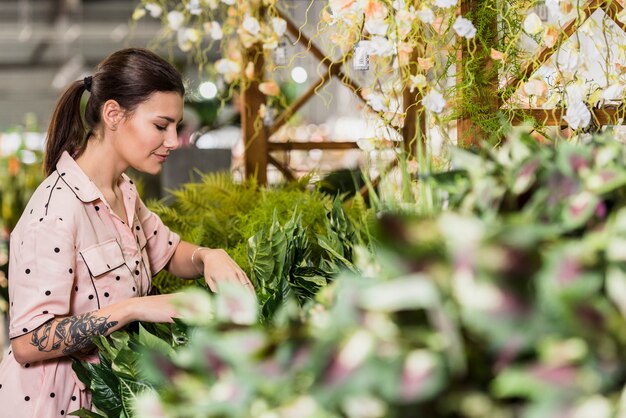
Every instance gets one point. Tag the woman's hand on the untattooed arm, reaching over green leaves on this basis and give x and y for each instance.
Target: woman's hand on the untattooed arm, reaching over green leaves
(218, 267)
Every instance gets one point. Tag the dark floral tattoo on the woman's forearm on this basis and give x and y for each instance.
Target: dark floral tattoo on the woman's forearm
(74, 331)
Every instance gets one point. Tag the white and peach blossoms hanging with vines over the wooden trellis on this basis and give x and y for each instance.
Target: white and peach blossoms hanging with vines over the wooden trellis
(393, 45)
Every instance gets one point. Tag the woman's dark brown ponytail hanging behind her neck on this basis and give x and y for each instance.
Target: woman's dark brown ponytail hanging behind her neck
(67, 130)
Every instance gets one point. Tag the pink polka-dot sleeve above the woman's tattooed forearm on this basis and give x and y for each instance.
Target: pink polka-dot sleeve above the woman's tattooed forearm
(41, 273)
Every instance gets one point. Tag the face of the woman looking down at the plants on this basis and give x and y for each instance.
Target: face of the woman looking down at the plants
(148, 135)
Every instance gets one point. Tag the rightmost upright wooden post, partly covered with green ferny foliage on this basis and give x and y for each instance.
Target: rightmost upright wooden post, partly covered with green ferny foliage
(484, 95)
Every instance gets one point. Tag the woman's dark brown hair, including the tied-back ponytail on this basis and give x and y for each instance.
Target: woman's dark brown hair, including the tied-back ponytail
(129, 76)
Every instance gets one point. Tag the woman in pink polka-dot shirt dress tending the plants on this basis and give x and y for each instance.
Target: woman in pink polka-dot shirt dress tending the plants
(85, 249)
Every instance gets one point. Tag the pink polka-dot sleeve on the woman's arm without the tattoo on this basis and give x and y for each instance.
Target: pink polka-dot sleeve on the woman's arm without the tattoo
(161, 242)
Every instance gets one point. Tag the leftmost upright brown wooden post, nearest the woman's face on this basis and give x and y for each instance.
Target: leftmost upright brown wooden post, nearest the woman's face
(252, 128)
